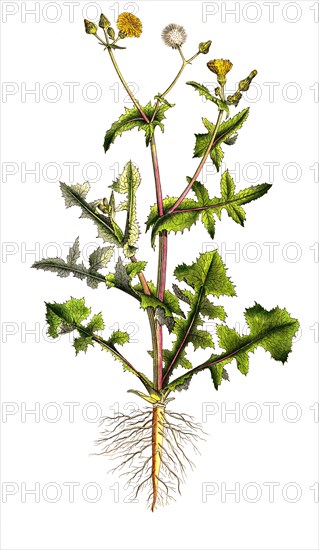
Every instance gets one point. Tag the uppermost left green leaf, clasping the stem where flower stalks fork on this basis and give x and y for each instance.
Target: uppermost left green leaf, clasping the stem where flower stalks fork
(132, 118)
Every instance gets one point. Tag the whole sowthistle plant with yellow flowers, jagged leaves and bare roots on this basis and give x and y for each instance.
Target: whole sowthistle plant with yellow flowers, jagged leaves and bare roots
(151, 443)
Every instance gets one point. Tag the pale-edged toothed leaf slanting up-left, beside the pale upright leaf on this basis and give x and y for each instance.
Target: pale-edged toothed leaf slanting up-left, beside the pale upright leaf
(75, 195)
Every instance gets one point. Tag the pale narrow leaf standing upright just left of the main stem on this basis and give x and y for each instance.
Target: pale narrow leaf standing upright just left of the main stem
(128, 182)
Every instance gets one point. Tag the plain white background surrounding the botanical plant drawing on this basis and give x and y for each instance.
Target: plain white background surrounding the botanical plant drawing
(39, 129)
